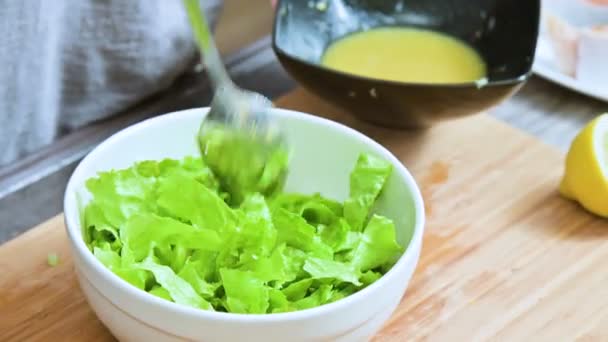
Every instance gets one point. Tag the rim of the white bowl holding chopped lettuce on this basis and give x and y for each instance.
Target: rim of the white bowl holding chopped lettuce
(81, 251)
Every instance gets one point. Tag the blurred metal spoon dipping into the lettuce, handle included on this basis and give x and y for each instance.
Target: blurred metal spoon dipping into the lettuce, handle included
(237, 139)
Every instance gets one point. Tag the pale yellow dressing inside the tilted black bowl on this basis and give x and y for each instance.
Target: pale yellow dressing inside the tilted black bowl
(406, 55)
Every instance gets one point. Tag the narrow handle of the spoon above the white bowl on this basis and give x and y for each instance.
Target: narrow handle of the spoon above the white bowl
(204, 38)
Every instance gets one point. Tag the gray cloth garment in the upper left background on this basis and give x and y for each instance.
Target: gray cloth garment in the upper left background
(65, 63)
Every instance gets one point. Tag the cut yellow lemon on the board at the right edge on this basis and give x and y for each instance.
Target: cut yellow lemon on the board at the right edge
(585, 178)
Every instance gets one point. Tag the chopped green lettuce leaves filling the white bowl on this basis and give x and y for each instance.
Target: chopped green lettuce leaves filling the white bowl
(179, 231)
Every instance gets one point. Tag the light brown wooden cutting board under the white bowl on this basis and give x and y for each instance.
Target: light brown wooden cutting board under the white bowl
(504, 256)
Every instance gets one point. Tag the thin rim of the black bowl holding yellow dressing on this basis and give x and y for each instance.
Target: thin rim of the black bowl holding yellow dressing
(479, 84)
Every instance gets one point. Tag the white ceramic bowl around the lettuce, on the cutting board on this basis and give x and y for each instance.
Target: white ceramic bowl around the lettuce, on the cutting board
(324, 152)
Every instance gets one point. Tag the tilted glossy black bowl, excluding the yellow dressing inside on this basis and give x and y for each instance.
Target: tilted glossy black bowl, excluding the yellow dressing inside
(504, 32)
